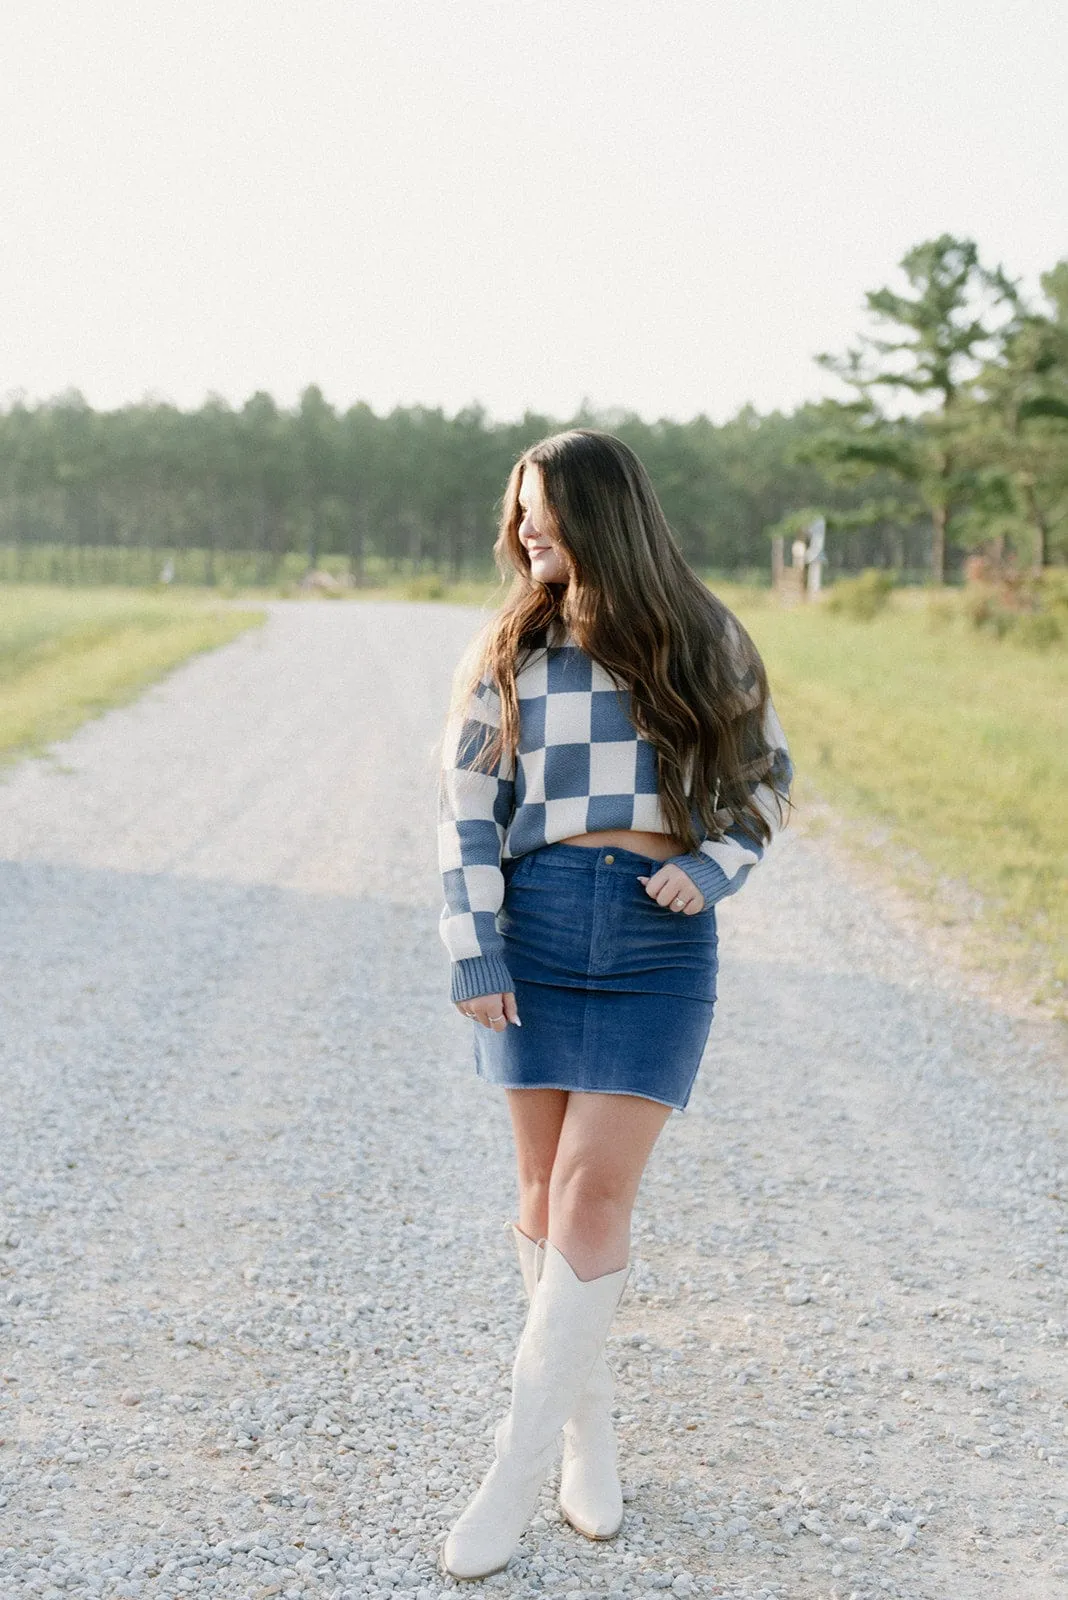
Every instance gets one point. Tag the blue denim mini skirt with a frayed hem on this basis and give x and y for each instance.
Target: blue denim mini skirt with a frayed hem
(615, 993)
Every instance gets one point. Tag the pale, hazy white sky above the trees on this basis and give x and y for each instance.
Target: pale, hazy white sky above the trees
(664, 209)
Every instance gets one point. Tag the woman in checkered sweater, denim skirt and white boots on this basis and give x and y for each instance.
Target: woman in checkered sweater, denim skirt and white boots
(613, 767)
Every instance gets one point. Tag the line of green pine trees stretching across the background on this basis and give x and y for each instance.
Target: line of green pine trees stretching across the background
(979, 457)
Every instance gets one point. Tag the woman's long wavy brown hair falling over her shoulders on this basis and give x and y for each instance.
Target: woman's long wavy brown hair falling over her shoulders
(696, 682)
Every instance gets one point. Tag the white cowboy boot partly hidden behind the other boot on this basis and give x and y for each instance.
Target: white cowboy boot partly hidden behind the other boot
(591, 1494)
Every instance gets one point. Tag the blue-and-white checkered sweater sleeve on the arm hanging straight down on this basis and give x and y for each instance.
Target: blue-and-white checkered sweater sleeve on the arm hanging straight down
(474, 814)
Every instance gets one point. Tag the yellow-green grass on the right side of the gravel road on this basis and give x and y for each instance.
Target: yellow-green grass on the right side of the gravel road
(955, 745)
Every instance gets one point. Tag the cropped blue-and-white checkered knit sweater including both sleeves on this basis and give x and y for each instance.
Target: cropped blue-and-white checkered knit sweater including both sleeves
(581, 766)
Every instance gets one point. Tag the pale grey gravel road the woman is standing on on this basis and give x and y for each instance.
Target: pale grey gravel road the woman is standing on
(257, 1302)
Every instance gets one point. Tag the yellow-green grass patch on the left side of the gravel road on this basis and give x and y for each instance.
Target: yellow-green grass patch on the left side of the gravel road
(68, 655)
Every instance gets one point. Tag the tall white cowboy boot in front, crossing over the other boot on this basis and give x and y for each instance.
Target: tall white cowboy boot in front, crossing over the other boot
(565, 1329)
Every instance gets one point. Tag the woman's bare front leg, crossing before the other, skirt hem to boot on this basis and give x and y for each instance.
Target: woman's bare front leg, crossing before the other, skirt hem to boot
(602, 1153)
